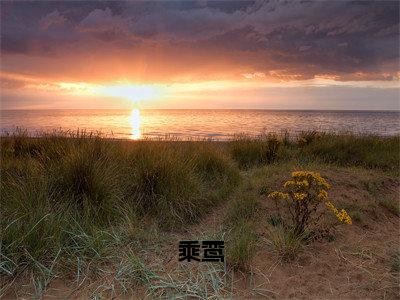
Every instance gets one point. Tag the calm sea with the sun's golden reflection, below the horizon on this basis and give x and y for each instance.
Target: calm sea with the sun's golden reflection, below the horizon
(216, 124)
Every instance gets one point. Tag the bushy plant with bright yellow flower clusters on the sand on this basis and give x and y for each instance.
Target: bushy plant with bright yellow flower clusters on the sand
(302, 197)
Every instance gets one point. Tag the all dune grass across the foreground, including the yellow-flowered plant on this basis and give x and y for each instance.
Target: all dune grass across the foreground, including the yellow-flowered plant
(74, 205)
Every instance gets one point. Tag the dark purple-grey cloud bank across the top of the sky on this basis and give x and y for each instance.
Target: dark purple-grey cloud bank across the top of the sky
(287, 39)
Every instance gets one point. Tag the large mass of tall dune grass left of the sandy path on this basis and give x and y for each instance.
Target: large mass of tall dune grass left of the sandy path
(63, 199)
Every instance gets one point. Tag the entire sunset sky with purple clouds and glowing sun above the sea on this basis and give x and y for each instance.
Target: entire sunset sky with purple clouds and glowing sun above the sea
(200, 54)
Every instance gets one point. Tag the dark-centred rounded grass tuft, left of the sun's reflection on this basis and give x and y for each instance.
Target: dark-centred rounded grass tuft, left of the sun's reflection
(88, 183)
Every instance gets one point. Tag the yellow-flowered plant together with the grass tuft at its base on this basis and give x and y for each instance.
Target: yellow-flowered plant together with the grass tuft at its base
(299, 213)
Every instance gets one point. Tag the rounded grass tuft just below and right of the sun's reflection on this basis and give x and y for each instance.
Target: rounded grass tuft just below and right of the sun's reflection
(163, 184)
